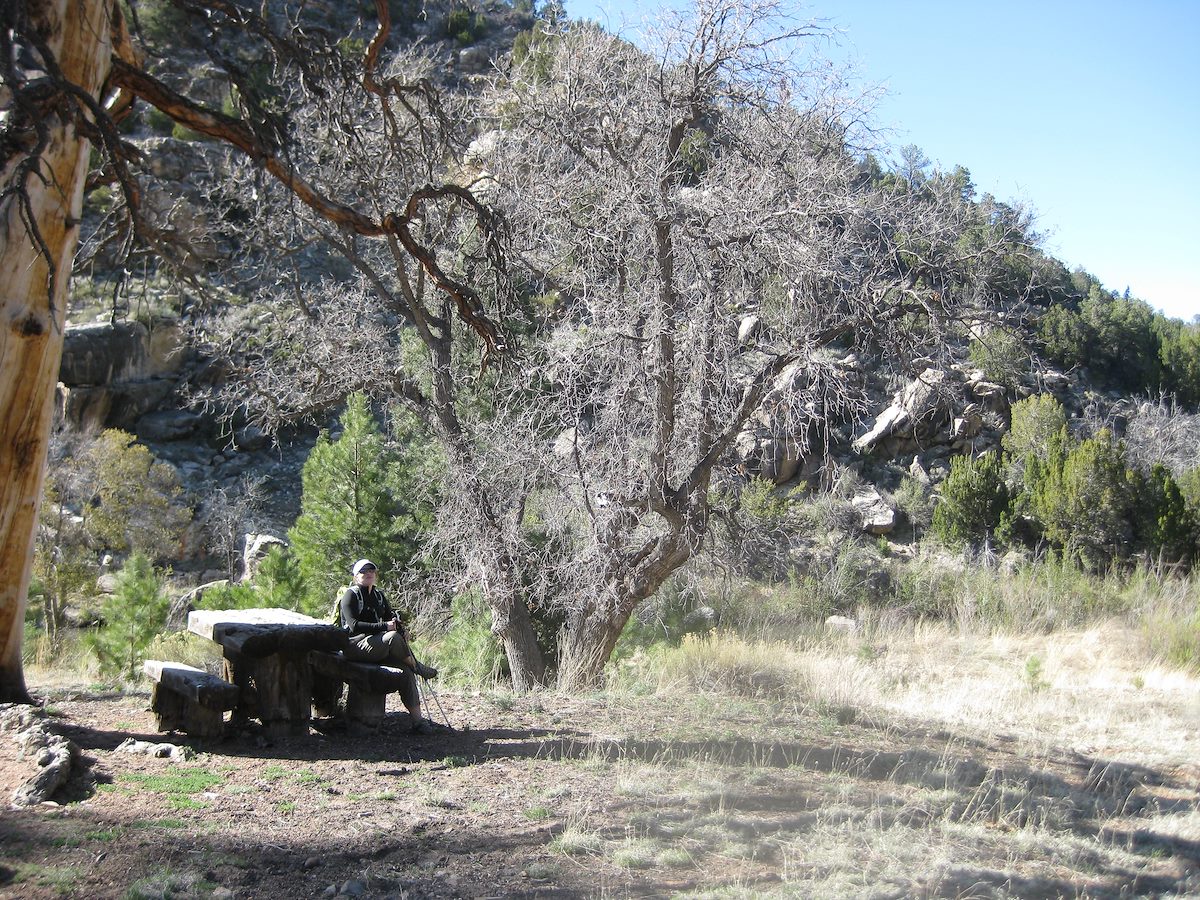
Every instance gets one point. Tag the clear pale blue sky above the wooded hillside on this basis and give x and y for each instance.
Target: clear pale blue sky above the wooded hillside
(1087, 113)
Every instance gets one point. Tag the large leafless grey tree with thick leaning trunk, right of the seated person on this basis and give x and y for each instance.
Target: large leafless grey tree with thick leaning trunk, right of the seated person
(667, 199)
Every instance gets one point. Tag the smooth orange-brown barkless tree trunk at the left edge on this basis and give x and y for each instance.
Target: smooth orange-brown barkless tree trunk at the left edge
(38, 244)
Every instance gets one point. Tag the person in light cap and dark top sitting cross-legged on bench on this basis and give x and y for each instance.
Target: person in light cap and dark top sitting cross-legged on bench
(377, 635)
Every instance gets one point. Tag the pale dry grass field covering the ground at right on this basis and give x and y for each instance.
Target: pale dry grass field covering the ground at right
(1059, 764)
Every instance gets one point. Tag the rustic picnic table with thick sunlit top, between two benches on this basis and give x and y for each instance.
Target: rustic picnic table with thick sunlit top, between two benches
(267, 656)
